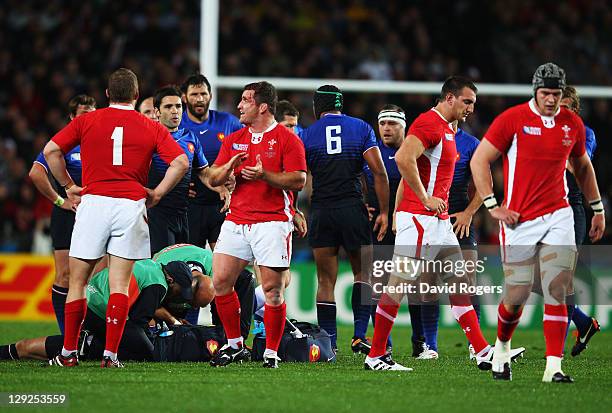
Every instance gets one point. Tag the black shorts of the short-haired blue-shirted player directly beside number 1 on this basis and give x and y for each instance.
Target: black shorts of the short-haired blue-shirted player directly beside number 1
(167, 229)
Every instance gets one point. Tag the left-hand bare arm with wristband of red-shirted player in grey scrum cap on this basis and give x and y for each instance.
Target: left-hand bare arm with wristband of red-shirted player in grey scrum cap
(480, 165)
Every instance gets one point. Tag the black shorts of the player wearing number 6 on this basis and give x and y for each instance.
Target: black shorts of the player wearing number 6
(334, 227)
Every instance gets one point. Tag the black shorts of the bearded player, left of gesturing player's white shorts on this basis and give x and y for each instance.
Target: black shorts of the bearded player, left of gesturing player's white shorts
(204, 223)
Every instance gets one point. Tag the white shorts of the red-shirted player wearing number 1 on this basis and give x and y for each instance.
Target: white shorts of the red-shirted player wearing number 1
(114, 225)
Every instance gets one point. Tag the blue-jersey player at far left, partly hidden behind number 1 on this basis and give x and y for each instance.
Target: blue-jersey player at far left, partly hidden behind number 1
(62, 216)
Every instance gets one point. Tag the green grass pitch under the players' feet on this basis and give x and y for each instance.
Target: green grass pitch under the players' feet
(450, 383)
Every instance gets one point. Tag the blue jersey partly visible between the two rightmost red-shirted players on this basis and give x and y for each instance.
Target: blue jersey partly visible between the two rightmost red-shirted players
(458, 198)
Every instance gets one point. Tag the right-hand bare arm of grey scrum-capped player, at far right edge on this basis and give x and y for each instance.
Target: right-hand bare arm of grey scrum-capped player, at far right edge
(585, 176)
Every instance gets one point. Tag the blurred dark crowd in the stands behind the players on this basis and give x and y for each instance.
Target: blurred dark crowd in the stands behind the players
(53, 50)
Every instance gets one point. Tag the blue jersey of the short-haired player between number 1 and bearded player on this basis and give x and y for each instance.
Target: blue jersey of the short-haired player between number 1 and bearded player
(176, 199)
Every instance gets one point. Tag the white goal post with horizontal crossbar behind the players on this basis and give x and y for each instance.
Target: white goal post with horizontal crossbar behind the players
(209, 47)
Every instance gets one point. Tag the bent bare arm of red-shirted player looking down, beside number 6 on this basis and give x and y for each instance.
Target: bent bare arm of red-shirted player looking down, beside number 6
(406, 158)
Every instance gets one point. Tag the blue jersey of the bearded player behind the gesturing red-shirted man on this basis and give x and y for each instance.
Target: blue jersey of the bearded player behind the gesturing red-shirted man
(210, 133)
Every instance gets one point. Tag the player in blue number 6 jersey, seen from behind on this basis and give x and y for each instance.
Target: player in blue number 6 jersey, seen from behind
(336, 146)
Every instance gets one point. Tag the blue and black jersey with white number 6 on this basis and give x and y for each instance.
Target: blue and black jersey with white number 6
(334, 153)
